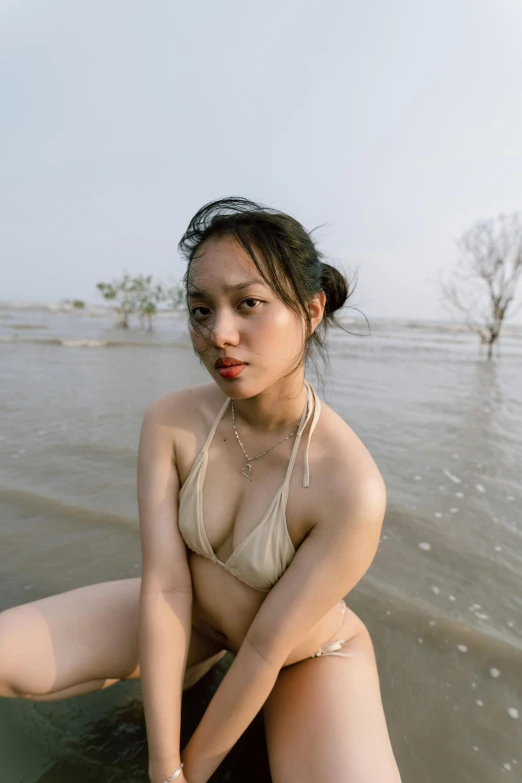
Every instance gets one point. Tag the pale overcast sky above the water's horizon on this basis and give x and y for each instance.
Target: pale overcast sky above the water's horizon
(397, 124)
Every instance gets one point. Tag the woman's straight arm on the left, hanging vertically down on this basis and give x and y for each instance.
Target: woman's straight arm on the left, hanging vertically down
(166, 592)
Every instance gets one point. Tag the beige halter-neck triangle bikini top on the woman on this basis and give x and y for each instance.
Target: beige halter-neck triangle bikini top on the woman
(263, 556)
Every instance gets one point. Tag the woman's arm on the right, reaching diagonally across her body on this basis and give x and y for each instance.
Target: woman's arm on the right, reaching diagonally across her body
(329, 563)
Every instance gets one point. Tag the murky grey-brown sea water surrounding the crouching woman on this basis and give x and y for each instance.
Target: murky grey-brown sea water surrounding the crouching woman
(442, 599)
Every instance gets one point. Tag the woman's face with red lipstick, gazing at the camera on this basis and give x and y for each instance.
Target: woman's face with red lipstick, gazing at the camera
(239, 317)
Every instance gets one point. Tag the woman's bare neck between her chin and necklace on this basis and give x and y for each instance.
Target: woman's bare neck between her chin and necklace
(274, 409)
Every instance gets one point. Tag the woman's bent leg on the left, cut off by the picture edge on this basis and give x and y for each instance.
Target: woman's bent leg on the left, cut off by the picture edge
(80, 641)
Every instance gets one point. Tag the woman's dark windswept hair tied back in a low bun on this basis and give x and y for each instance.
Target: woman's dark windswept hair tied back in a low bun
(295, 269)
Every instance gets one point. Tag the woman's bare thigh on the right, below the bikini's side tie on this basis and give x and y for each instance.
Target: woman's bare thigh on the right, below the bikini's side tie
(325, 720)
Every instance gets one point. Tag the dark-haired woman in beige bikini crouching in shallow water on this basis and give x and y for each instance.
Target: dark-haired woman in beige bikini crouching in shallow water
(259, 509)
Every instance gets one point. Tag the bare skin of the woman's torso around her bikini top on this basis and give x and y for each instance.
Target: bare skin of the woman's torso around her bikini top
(224, 607)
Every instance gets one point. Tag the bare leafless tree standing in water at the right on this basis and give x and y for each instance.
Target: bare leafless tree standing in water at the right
(482, 288)
